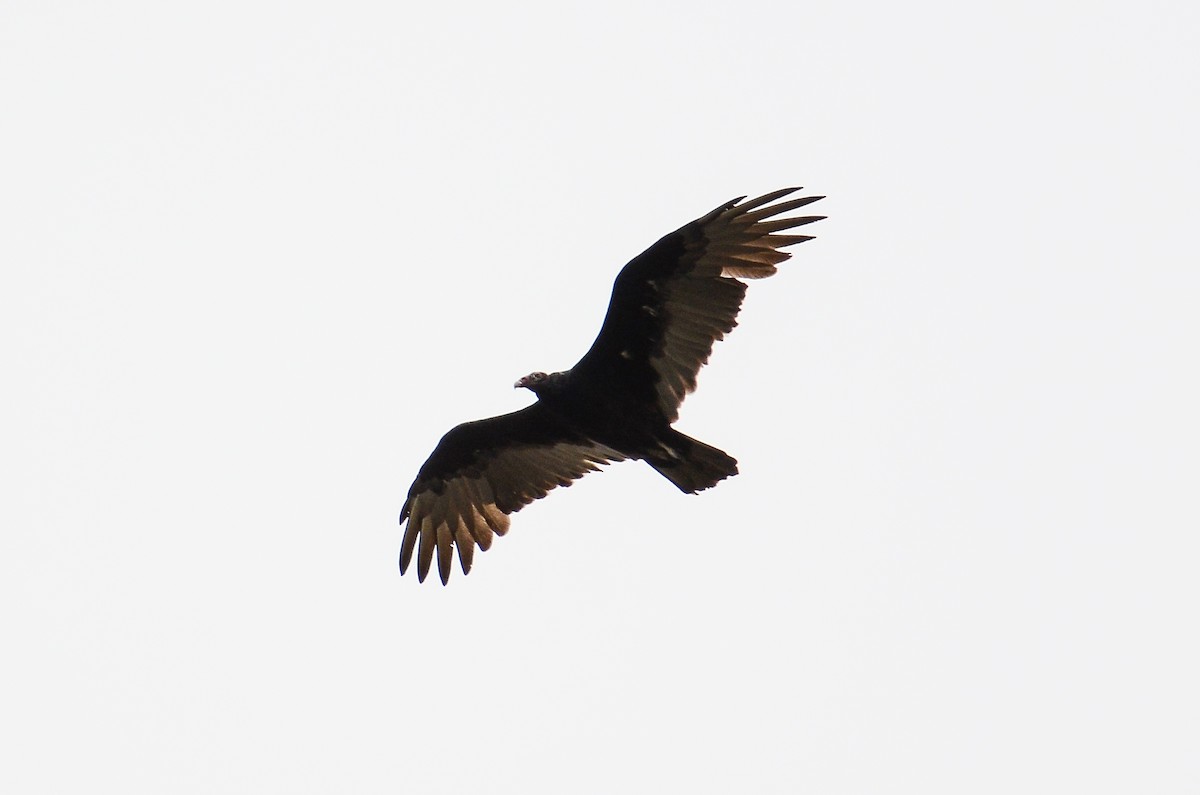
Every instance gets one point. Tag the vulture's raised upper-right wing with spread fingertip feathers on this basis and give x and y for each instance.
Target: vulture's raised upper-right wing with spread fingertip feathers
(673, 302)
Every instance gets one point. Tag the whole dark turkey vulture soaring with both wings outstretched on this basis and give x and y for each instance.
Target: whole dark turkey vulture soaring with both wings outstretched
(669, 307)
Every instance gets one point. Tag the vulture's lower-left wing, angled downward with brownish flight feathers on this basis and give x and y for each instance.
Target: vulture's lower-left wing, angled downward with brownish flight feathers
(479, 474)
